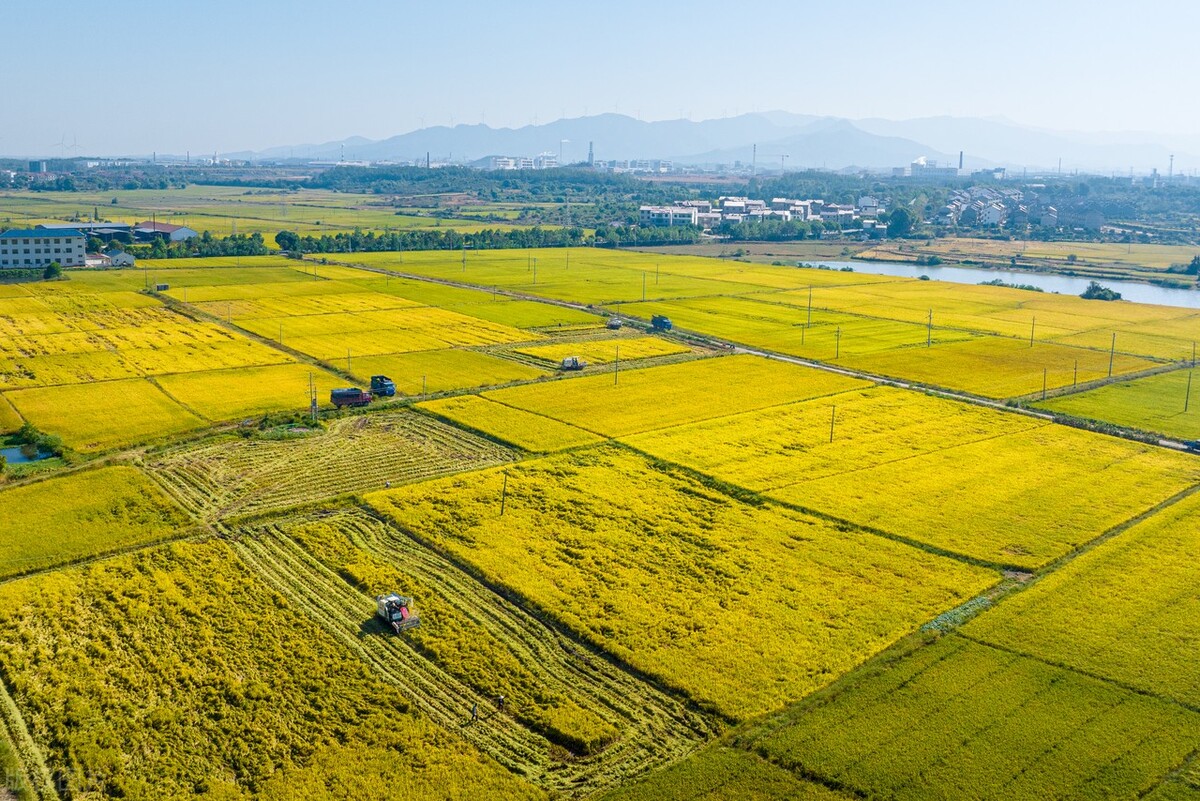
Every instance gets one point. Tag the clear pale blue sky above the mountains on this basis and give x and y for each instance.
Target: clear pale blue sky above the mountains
(224, 76)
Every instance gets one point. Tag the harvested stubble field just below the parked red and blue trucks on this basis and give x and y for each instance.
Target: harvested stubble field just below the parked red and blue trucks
(245, 477)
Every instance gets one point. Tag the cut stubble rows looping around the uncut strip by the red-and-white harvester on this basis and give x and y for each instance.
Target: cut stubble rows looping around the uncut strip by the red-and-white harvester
(653, 727)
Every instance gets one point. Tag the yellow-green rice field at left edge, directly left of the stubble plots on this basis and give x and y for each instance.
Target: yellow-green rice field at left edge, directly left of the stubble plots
(83, 515)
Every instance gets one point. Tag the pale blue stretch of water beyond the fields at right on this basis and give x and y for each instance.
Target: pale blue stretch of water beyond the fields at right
(1131, 291)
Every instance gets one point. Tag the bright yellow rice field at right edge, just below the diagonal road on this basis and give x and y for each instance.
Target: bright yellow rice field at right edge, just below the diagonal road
(1022, 499)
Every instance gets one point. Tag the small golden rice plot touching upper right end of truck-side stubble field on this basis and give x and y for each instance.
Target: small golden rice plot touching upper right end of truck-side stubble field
(525, 430)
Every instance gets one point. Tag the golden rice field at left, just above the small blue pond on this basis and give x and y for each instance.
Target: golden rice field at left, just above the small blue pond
(99, 417)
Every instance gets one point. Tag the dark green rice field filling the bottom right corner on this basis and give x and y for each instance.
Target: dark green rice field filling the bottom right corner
(963, 720)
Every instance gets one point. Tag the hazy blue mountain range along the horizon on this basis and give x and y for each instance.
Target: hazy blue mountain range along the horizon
(794, 141)
